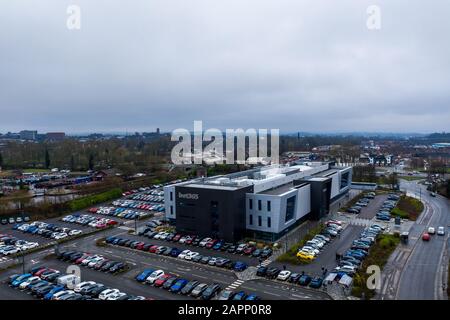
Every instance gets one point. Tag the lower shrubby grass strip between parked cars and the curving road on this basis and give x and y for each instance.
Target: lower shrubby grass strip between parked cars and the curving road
(378, 255)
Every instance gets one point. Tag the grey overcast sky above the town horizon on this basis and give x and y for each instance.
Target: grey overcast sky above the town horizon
(296, 65)
